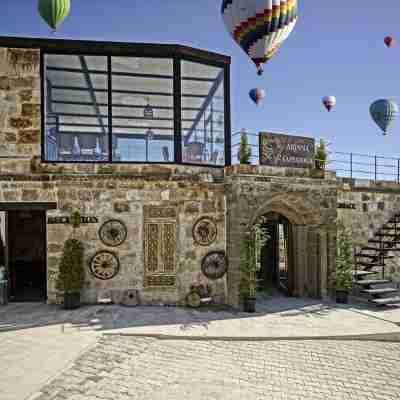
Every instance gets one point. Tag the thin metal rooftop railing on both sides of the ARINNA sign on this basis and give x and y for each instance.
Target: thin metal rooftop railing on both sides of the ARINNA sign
(346, 165)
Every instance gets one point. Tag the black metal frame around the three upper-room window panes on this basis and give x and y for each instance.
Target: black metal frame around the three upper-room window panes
(176, 54)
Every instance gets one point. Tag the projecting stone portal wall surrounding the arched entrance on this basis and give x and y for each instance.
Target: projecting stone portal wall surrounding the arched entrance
(308, 200)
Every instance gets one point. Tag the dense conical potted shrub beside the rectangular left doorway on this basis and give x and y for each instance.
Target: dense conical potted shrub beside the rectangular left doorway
(70, 278)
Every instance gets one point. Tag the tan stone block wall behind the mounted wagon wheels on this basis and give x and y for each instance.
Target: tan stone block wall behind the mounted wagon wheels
(123, 197)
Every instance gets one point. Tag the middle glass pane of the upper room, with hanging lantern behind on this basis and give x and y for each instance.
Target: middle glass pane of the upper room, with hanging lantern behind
(143, 113)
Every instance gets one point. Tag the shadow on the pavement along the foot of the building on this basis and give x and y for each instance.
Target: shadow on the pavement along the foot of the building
(101, 317)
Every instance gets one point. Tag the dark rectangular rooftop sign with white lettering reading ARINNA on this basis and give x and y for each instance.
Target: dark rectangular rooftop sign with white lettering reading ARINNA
(280, 150)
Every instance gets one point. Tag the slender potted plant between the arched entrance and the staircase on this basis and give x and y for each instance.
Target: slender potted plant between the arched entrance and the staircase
(342, 278)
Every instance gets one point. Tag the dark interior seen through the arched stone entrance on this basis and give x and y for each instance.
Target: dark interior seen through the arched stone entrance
(276, 255)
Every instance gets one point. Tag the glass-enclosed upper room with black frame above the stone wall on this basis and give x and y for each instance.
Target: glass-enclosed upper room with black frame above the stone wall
(134, 103)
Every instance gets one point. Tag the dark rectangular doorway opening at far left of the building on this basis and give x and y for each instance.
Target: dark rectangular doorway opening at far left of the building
(26, 251)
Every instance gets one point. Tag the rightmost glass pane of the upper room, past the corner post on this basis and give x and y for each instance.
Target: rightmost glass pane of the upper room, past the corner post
(203, 129)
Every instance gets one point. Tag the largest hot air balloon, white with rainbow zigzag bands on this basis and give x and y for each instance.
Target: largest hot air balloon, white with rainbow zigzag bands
(259, 27)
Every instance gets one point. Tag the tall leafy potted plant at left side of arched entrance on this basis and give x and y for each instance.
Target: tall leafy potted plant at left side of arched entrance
(251, 246)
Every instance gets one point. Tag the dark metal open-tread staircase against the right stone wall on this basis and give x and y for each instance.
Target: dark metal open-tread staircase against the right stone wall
(369, 276)
